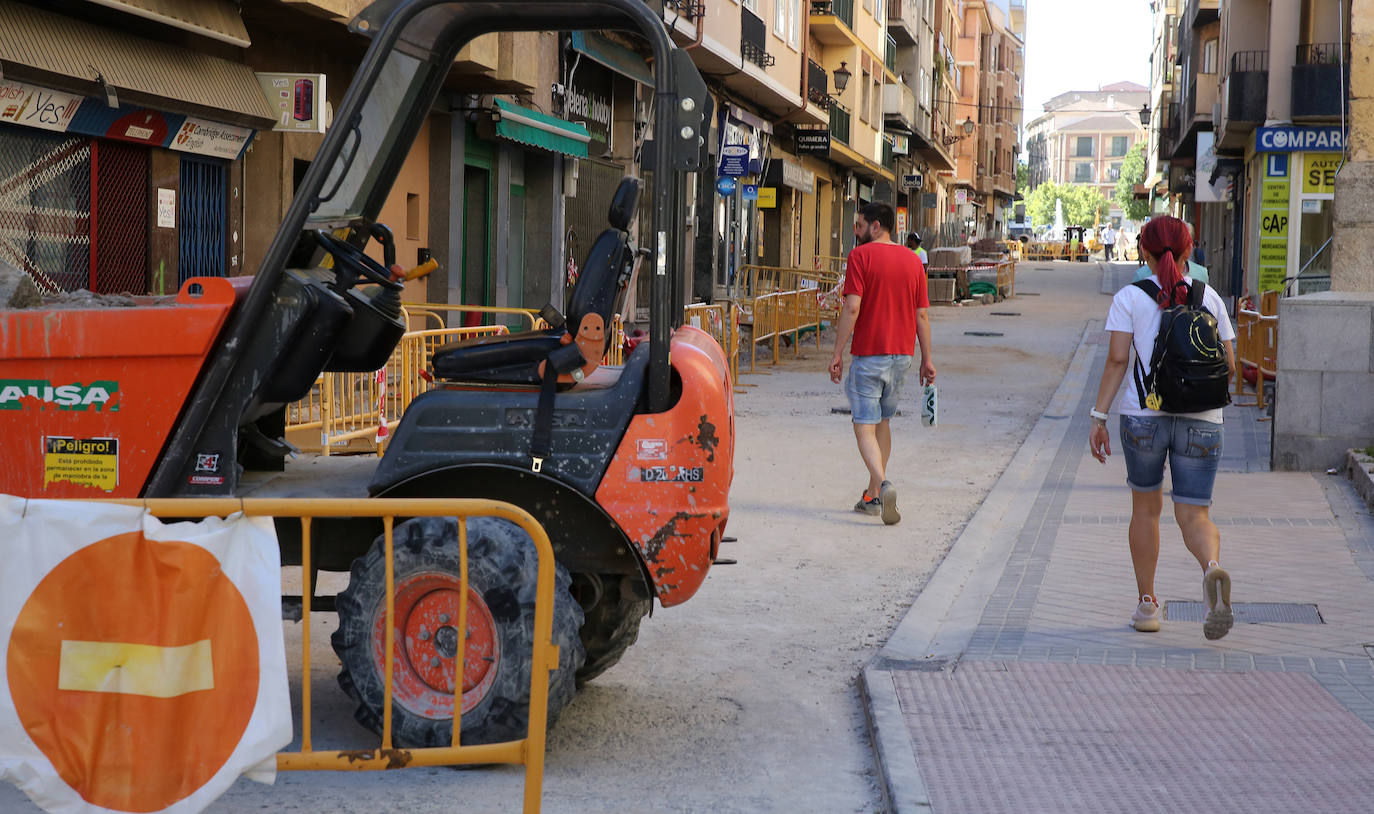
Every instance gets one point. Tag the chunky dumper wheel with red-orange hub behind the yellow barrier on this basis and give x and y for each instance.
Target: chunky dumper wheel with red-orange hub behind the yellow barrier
(501, 624)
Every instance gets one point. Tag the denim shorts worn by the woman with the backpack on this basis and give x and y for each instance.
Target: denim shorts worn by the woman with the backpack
(1192, 446)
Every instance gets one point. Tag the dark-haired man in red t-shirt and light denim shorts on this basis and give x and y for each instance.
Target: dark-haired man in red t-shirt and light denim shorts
(887, 311)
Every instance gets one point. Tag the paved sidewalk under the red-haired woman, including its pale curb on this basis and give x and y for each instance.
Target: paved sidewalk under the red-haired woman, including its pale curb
(1016, 683)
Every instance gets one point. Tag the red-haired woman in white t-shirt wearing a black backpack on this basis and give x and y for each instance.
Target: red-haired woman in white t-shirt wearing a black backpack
(1192, 442)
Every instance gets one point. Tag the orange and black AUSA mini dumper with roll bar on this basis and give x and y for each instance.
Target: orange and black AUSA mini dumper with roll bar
(627, 468)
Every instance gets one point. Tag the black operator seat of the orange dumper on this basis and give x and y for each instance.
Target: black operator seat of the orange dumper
(515, 360)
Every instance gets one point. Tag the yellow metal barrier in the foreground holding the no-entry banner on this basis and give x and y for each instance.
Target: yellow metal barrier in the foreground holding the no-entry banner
(530, 751)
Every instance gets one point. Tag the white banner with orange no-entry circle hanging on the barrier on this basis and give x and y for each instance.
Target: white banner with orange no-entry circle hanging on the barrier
(144, 663)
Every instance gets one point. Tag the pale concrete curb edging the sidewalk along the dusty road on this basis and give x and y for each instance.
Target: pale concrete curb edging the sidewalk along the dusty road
(936, 629)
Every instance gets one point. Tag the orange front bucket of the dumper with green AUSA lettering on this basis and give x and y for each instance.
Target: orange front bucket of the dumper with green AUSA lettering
(89, 395)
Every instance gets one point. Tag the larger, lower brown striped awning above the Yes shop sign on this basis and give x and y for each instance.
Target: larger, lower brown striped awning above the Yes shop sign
(67, 54)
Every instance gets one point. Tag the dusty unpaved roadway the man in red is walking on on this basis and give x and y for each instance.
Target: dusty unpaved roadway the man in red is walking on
(745, 698)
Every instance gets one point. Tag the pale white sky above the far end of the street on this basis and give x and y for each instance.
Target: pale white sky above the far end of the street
(1083, 45)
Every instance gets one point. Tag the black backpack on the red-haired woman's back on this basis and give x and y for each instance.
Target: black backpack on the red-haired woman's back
(1189, 371)
